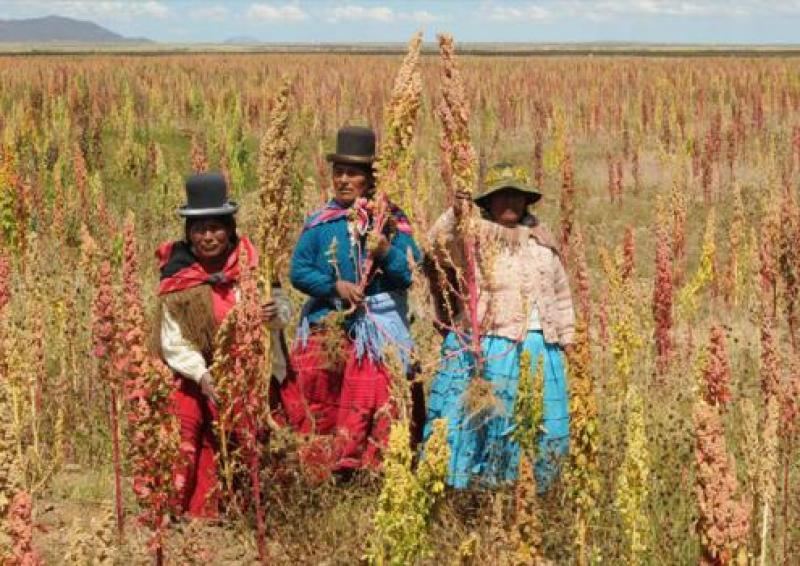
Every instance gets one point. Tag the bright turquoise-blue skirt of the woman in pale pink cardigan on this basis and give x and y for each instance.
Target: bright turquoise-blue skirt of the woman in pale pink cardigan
(481, 447)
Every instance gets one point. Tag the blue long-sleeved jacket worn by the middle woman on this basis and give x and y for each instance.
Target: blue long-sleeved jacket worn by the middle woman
(313, 272)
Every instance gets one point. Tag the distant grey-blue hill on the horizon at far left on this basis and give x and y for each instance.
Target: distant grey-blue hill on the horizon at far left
(59, 29)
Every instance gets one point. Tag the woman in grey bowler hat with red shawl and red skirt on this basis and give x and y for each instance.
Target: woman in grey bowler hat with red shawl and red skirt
(199, 286)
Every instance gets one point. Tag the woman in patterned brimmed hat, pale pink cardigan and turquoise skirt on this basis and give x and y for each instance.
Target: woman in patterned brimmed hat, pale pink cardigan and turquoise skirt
(524, 304)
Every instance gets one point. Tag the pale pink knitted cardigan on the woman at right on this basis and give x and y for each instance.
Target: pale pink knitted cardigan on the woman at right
(518, 269)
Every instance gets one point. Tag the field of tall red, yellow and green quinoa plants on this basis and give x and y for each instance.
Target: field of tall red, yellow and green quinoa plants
(670, 183)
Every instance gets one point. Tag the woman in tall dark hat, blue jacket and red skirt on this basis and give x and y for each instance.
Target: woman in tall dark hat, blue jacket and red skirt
(341, 385)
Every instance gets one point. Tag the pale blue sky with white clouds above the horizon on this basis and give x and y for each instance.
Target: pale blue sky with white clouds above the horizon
(536, 21)
